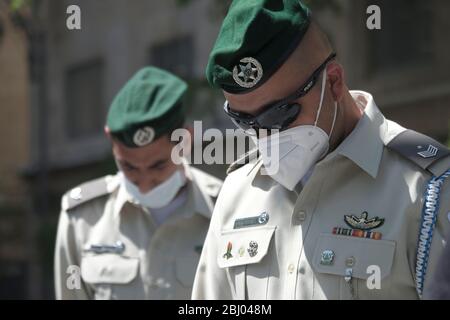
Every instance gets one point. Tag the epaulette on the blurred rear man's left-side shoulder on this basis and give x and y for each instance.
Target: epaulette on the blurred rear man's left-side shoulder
(89, 191)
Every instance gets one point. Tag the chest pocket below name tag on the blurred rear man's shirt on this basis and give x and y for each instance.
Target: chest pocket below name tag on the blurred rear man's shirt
(104, 271)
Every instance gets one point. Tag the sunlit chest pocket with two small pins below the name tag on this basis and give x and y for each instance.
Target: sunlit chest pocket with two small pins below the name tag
(244, 253)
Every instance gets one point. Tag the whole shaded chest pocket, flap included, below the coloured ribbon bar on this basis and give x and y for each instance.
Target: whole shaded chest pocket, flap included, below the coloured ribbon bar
(335, 256)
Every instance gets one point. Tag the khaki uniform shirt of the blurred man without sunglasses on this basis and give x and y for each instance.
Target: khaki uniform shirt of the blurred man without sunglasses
(117, 250)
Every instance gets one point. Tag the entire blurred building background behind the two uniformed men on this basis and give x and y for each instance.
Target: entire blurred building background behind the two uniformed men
(56, 86)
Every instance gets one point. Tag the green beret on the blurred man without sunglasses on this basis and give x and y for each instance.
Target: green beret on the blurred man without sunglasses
(147, 107)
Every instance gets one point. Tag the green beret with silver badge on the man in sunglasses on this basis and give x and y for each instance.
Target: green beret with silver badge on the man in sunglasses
(256, 38)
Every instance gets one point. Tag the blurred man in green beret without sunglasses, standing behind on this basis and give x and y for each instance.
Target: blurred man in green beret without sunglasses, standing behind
(138, 234)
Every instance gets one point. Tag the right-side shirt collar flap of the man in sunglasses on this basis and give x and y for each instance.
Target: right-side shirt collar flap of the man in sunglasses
(364, 146)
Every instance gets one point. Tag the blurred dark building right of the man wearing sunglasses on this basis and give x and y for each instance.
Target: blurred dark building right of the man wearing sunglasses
(405, 64)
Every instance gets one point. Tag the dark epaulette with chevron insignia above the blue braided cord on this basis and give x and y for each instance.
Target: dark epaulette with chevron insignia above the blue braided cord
(422, 150)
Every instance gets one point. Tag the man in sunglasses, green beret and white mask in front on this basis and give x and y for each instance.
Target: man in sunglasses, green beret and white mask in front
(341, 217)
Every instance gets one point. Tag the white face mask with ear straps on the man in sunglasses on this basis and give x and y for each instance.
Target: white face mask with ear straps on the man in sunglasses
(287, 156)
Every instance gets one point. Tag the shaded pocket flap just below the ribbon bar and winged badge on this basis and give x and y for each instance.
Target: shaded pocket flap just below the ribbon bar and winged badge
(362, 255)
